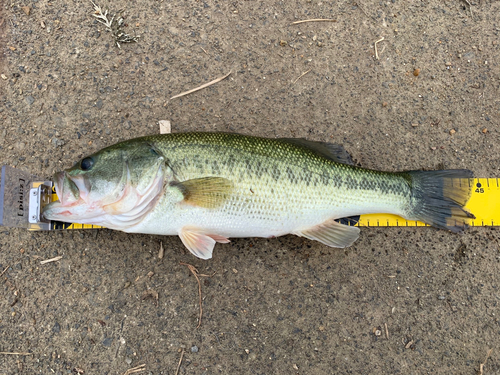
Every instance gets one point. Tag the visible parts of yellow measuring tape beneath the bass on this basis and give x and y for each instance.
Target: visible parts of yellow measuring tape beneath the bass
(484, 203)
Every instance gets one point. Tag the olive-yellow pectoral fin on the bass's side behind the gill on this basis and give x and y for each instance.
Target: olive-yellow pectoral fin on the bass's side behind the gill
(206, 192)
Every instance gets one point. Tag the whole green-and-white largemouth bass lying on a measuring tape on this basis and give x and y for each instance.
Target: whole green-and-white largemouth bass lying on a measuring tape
(210, 187)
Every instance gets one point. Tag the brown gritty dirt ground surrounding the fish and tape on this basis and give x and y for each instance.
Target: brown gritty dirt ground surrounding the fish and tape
(399, 301)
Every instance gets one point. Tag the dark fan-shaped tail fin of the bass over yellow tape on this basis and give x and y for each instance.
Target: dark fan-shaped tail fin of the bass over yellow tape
(439, 197)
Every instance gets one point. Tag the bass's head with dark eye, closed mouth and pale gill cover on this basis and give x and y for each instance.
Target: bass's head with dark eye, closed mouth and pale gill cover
(115, 187)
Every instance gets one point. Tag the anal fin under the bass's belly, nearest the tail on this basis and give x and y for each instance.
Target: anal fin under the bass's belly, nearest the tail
(331, 234)
